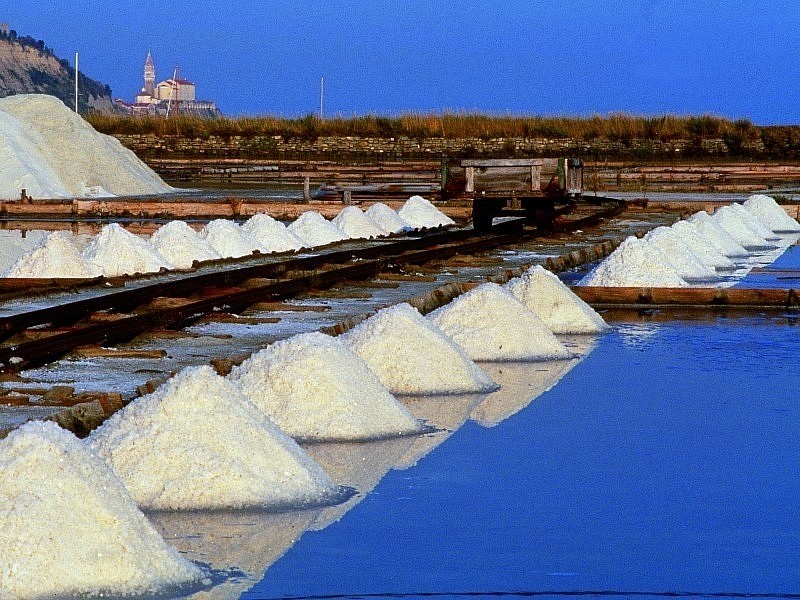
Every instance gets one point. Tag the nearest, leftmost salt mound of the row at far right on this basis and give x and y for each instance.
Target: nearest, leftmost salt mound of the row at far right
(635, 263)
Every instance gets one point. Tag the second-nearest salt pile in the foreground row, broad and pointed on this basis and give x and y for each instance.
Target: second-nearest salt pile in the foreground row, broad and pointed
(198, 443)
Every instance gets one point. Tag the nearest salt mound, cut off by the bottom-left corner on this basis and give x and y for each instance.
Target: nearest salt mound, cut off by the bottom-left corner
(69, 527)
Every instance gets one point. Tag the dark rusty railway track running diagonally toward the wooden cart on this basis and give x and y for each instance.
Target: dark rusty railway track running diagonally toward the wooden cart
(96, 315)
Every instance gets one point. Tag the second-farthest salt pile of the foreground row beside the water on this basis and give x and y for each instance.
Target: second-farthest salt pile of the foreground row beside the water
(490, 324)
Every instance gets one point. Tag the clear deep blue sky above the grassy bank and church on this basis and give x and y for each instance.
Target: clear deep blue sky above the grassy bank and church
(732, 59)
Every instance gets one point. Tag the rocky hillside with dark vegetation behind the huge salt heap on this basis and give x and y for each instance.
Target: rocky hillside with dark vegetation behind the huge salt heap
(27, 66)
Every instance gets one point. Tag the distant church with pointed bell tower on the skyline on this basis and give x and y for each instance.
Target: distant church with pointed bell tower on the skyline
(171, 96)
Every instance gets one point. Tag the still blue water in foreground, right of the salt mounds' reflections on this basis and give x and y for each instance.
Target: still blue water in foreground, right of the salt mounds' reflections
(666, 461)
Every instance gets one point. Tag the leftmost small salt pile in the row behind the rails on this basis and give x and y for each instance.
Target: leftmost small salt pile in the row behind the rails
(56, 256)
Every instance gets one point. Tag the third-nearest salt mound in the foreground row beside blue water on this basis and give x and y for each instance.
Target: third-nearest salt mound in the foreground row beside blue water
(314, 388)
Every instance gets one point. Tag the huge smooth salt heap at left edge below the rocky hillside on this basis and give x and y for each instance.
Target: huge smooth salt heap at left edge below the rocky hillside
(55, 153)
